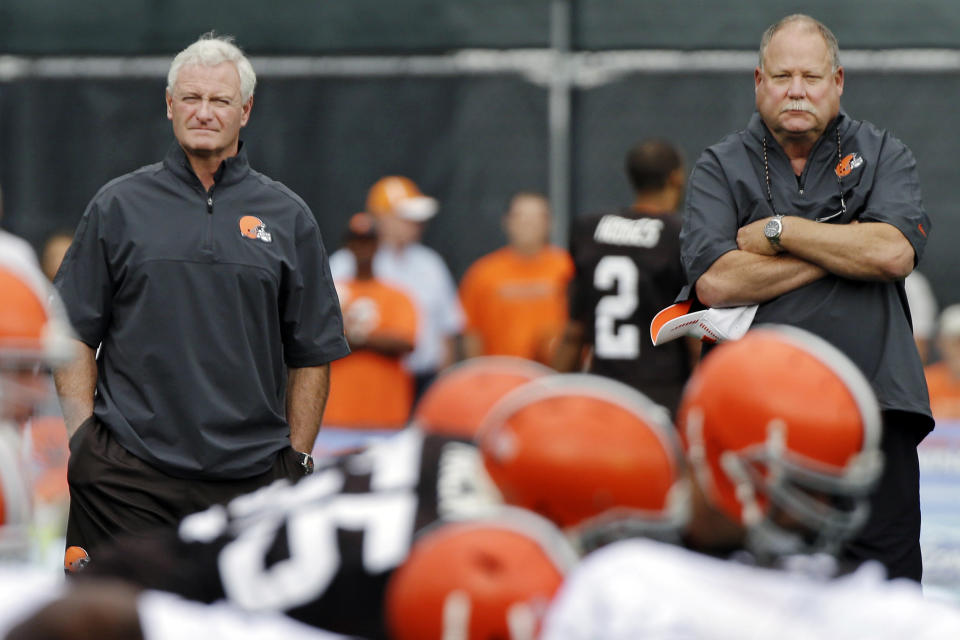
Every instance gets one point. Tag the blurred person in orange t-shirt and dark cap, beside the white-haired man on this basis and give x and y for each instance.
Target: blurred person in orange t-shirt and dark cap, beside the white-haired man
(370, 388)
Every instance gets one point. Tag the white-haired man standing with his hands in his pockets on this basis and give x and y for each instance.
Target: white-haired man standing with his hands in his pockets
(202, 298)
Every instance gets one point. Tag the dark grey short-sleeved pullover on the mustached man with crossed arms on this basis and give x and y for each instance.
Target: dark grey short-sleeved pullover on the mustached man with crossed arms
(868, 321)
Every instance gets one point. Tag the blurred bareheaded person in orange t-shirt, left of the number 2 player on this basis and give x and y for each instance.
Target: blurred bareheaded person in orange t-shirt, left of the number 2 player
(515, 297)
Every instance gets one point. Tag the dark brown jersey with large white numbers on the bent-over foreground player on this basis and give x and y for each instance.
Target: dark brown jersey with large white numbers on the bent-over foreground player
(321, 550)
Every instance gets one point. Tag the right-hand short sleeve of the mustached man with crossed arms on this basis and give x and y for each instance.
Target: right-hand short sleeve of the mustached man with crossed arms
(895, 197)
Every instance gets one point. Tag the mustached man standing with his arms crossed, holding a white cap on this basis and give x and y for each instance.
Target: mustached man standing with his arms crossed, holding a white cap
(818, 218)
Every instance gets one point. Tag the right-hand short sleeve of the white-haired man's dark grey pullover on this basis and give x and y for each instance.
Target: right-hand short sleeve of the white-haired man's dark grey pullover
(311, 322)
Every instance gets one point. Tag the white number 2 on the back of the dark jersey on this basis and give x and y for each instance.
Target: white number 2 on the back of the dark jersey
(611, 341)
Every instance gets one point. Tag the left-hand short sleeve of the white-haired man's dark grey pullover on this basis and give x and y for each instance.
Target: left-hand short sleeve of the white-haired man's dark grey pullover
(85, 281)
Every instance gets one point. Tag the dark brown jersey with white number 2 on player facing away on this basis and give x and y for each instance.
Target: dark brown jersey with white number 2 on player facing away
(627, 269)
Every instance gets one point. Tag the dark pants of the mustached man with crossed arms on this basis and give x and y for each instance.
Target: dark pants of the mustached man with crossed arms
(892, 532)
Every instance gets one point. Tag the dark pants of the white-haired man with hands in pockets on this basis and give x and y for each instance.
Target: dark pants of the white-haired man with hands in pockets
(113, 493)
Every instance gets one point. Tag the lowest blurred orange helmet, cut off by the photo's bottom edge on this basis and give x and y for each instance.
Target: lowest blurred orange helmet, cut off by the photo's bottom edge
(480, 580)
